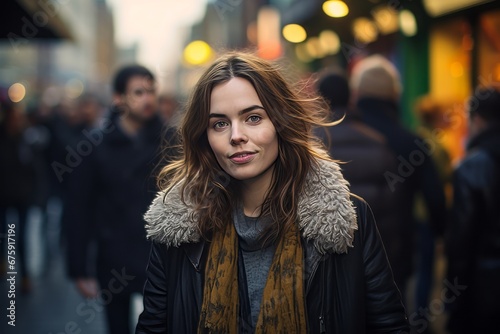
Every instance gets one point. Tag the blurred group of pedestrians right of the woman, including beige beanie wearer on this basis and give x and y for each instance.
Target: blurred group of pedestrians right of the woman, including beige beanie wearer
(426, 206)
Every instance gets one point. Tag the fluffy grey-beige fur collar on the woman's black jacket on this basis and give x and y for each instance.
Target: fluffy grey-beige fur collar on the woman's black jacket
(326, 214)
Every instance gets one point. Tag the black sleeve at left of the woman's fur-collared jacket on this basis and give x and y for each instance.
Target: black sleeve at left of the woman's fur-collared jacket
(154, 317)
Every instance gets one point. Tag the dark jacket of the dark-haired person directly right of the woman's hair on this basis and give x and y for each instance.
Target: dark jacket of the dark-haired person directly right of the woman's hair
(365, 160)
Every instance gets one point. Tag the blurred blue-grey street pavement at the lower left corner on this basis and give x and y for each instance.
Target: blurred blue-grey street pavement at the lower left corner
(53, 306)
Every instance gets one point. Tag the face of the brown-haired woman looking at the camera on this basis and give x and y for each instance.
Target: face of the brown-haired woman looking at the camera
(240, 133)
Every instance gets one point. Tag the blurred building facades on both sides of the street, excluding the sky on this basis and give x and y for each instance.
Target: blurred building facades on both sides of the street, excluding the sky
(442, 48)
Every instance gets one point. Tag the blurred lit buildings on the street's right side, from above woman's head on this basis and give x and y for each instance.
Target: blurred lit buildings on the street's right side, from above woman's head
(442, 48)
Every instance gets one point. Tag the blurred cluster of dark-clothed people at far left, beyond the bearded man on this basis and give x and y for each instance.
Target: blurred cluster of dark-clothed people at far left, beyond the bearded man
(32, 140)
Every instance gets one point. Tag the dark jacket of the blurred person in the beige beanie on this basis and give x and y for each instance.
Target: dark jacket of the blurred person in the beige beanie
(412, 173)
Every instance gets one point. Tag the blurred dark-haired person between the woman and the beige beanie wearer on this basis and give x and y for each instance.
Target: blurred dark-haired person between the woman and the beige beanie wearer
(357, 146)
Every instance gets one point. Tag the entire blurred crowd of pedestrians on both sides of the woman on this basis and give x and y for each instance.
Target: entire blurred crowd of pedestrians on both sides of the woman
(425, 205)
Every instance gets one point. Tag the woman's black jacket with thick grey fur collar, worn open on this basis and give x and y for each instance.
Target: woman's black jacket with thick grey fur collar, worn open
(348, 280)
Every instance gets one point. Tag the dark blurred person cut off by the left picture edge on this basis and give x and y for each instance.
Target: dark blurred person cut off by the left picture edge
(17, 187)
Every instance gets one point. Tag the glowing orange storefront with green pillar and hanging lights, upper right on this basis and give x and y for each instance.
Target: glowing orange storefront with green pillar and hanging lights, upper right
(444, 49)
